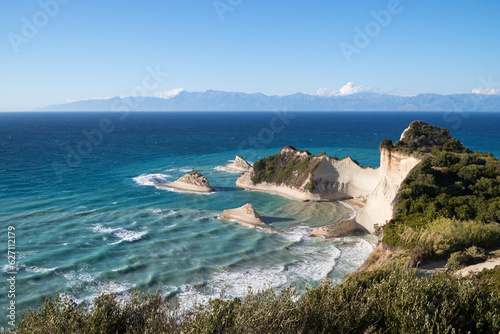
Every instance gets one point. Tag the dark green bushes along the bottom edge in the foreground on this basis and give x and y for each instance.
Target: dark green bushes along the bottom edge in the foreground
(374, 302)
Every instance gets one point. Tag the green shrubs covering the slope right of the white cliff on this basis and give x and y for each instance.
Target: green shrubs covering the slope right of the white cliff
(461, 187)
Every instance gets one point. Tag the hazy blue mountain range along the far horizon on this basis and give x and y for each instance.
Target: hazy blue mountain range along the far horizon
(229, 101)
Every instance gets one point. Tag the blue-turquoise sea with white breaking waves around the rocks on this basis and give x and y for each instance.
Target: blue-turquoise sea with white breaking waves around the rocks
(78, 198)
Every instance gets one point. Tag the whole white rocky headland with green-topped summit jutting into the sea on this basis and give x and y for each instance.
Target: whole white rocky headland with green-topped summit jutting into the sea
(299, 175)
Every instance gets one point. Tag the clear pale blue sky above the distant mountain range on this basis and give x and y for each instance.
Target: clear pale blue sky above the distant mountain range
(54, 51)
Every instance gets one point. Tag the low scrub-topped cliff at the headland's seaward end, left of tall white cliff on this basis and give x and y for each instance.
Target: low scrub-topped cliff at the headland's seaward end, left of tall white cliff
(299, 175)
